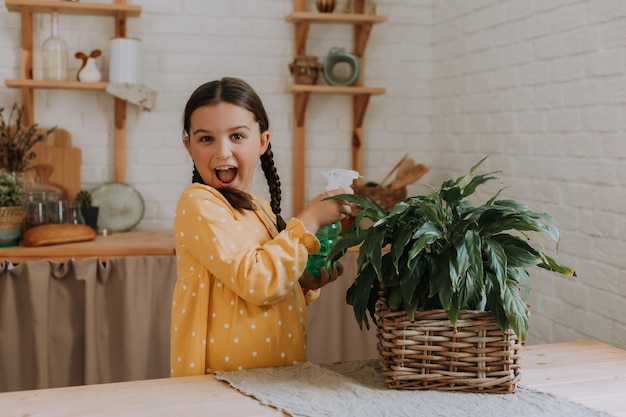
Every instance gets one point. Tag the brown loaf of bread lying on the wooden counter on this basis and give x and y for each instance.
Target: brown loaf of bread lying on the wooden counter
(53, 234)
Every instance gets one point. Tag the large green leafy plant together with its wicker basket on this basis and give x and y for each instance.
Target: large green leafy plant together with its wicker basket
(439, 253)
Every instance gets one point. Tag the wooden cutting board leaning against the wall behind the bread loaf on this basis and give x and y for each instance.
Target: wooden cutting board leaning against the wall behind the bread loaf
(65, 160)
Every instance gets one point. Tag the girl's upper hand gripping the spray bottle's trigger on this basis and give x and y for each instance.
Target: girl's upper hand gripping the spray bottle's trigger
(319, 212)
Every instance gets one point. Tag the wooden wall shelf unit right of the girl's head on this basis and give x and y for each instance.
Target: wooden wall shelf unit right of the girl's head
(362, 26)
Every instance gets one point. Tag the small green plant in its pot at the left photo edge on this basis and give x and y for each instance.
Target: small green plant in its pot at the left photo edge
(11, 208)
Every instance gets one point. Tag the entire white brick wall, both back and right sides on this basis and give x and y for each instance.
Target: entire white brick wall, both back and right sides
(538, 85)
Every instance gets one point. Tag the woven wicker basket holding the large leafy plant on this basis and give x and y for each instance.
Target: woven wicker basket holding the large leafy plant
(429, 353)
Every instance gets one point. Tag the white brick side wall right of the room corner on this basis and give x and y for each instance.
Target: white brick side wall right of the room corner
(539, 85)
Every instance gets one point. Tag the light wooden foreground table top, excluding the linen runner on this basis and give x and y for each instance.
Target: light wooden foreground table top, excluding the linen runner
(590, 373)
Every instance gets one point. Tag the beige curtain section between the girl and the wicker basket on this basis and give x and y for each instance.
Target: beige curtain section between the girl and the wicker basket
(334, 335)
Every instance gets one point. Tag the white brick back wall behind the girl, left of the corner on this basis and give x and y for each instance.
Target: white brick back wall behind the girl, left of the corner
(188, 43)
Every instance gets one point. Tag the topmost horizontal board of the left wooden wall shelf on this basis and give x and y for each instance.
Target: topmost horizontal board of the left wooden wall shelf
(74, 7)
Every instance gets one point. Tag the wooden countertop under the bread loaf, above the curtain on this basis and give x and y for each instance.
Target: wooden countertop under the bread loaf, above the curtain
(131, 243)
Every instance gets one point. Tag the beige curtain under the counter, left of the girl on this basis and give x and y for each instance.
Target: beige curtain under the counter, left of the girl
(84, 321)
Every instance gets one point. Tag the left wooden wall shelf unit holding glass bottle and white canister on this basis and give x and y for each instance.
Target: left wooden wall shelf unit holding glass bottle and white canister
(120, 11)
